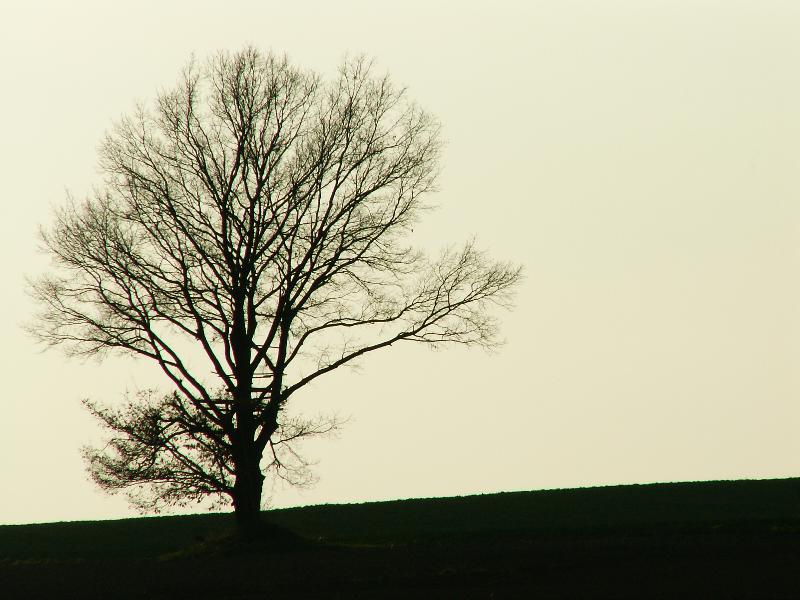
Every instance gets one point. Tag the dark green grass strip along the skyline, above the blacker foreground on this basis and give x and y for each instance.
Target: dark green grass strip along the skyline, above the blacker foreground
(631, 510)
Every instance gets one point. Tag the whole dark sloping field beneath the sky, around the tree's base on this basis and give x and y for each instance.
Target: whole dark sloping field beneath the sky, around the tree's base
(701, 540)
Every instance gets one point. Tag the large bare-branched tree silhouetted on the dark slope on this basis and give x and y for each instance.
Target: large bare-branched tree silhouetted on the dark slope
(249, 238)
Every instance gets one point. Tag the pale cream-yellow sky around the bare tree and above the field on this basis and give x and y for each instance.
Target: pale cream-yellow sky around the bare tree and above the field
(640, 158)
